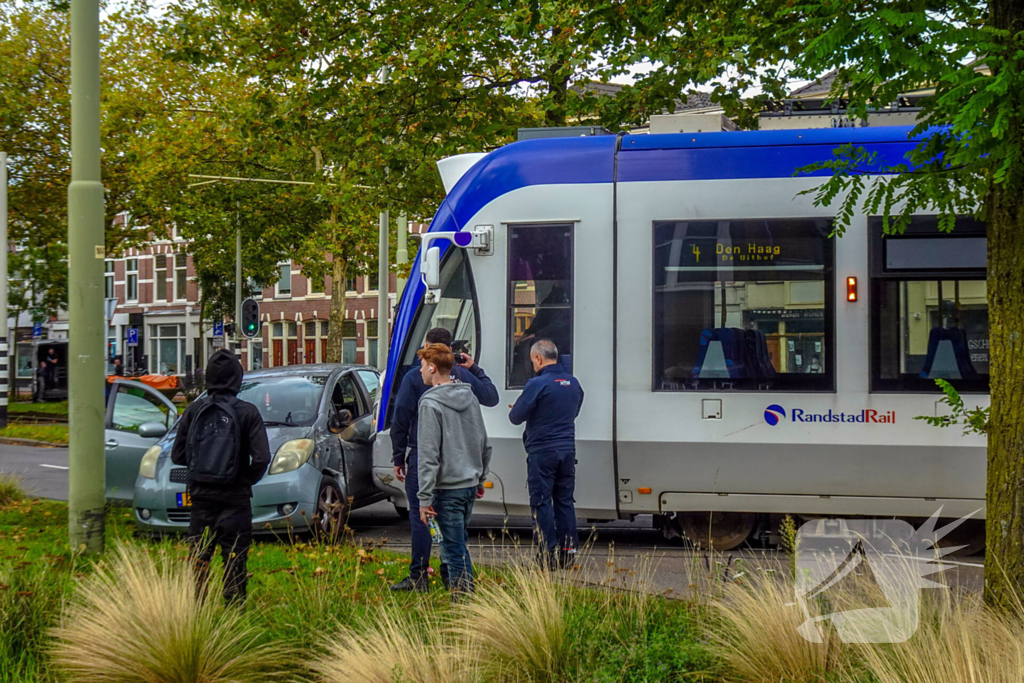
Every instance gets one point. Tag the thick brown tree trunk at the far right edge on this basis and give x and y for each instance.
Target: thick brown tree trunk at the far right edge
(1005, 495)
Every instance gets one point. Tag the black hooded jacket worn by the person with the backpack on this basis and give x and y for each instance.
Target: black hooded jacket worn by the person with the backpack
(224, 379)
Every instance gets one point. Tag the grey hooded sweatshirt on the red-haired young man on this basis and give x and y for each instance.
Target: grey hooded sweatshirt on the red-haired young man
(454, 451)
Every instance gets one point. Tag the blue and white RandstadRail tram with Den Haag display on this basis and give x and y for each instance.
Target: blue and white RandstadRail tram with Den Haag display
(740, 363)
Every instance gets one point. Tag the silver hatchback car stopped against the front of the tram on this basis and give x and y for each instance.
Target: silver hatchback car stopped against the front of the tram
(320, 422)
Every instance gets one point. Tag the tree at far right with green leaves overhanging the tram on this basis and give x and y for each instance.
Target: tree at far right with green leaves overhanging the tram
(968, 58)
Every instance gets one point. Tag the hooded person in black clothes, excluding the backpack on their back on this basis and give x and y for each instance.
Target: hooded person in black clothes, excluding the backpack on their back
(222, 515)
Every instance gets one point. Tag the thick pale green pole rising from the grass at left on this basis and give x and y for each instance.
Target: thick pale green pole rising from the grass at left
(87, 251)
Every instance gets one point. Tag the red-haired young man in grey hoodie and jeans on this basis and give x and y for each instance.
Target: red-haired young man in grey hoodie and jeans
(454, 457)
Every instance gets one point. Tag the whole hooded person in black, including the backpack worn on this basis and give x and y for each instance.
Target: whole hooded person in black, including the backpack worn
(224, 444)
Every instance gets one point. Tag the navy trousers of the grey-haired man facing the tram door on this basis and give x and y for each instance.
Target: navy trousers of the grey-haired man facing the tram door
(551, 478)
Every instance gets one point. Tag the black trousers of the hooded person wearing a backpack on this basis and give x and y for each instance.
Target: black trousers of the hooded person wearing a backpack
(229, 526)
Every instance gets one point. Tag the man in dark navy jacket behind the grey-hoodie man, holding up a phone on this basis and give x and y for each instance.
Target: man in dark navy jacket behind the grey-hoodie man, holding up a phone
(404, 434)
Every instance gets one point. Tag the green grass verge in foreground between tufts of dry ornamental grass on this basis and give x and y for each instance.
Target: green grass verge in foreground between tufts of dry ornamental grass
(301, 592)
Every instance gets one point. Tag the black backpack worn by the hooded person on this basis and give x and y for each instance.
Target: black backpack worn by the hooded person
(215, 444)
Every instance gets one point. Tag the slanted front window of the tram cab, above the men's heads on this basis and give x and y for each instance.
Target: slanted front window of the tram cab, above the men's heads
(456, 311)
